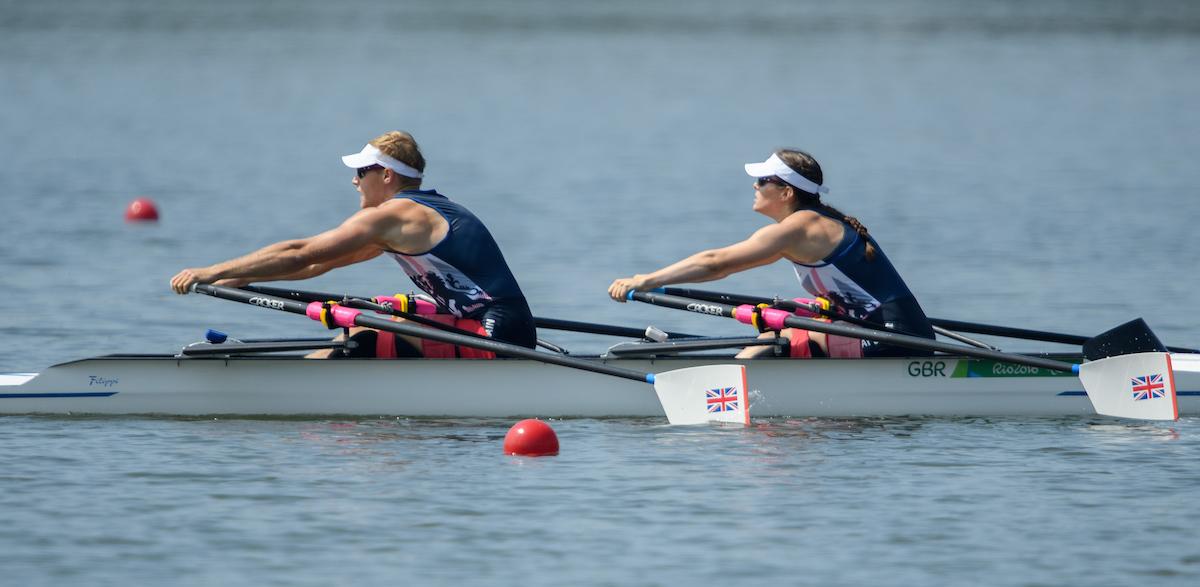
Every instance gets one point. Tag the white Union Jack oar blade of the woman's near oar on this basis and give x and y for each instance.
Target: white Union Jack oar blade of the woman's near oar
(1133, 386)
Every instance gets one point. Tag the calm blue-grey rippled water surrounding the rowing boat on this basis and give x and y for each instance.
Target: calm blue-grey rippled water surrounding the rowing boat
(1024, 164)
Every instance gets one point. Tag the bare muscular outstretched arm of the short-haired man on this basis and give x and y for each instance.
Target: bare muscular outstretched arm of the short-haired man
(357, 239)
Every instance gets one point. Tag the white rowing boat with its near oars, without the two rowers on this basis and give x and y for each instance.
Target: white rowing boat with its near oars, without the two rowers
(220, 378)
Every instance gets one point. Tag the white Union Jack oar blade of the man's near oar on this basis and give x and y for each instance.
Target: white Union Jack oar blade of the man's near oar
(700, 396)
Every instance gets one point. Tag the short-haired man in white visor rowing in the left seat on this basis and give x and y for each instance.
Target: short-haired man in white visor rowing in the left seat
(443, 248)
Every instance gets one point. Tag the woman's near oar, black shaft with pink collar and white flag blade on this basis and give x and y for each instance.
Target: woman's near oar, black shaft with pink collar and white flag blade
(1130, 386)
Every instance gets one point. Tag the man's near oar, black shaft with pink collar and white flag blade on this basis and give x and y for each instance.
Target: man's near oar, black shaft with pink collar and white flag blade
(693, 396)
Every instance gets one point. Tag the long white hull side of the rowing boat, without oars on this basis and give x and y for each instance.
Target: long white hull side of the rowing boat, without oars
(287, 386)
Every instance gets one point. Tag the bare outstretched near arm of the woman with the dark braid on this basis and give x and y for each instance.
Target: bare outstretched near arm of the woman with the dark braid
(766, 245)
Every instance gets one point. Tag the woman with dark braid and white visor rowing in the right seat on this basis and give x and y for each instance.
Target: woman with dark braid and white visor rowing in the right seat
(833, 256)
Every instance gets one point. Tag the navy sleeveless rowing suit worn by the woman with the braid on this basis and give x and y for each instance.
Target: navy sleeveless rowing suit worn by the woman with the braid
(868, 290)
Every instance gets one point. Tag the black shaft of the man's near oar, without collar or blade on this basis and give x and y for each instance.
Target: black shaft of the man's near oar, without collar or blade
(369, 321)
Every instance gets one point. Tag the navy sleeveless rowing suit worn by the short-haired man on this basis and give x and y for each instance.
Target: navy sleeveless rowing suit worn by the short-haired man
(467, 274)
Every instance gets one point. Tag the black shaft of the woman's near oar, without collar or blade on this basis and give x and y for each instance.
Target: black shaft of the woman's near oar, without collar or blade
(901, 340)
